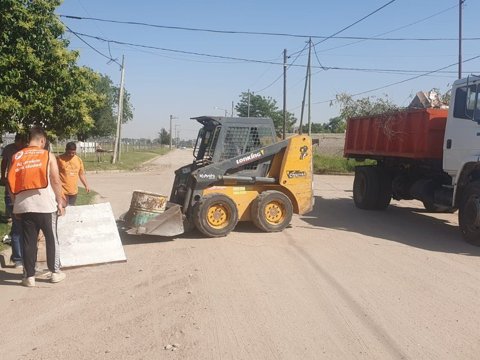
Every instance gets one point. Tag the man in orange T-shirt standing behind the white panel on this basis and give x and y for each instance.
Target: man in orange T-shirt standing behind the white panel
(70, 167)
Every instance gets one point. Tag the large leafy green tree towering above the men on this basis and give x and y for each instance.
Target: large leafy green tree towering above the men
(40, 82)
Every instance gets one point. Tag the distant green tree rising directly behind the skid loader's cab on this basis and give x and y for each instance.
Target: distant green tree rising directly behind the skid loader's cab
(261, 106)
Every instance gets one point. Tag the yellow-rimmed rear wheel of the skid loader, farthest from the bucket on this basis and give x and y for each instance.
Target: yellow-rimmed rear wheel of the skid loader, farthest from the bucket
(272, 211)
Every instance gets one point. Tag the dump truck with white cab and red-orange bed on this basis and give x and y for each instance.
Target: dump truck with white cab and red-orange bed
(432, 155)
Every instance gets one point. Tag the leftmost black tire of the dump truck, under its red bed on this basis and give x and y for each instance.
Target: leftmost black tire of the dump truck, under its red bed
(372, 188)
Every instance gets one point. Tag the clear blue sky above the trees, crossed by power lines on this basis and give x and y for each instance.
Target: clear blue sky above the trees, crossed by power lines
(166, 83)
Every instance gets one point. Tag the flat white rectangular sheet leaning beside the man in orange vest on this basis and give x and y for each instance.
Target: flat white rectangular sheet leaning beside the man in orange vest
(88, 234)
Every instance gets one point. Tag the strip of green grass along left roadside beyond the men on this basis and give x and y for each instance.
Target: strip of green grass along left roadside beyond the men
(128, 160)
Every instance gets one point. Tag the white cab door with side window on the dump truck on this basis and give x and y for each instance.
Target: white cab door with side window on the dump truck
(462, 133)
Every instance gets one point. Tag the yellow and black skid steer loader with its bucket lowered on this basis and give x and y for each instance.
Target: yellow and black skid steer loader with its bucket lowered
(240, 172)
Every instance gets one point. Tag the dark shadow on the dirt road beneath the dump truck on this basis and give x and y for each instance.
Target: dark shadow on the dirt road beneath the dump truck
(409, 226)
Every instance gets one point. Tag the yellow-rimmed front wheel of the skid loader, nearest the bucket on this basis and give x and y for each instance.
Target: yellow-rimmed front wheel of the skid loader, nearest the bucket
(215, 215)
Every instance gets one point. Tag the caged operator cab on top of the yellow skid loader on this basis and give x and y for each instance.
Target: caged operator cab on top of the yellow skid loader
(223, 138)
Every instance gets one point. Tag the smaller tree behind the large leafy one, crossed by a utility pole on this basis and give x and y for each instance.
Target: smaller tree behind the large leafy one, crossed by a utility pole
(104, 115)
